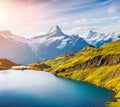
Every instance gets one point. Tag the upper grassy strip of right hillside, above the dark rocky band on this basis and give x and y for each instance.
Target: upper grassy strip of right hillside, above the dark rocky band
(109, 49)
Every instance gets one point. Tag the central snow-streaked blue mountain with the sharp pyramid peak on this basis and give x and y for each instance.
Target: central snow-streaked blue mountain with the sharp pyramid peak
(55, 43)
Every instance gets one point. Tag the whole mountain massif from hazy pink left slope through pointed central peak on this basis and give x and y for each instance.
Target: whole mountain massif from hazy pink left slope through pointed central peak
(52, 44)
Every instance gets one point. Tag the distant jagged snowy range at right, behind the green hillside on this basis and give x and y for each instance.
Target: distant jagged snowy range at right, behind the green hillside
(99, 39)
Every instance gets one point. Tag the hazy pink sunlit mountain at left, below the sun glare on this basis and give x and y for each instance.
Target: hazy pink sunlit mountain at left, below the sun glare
(15, 48)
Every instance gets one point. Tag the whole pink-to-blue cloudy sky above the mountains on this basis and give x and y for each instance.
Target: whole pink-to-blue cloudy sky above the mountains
(29, 18)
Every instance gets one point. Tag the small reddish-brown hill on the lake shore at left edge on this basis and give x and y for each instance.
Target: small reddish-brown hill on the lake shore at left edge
(6, 64)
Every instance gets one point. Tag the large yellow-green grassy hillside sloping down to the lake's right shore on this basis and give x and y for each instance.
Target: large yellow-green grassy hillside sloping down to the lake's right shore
(99, 66)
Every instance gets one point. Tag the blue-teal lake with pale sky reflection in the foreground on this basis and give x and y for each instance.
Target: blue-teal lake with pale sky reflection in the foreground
(42, 89)
